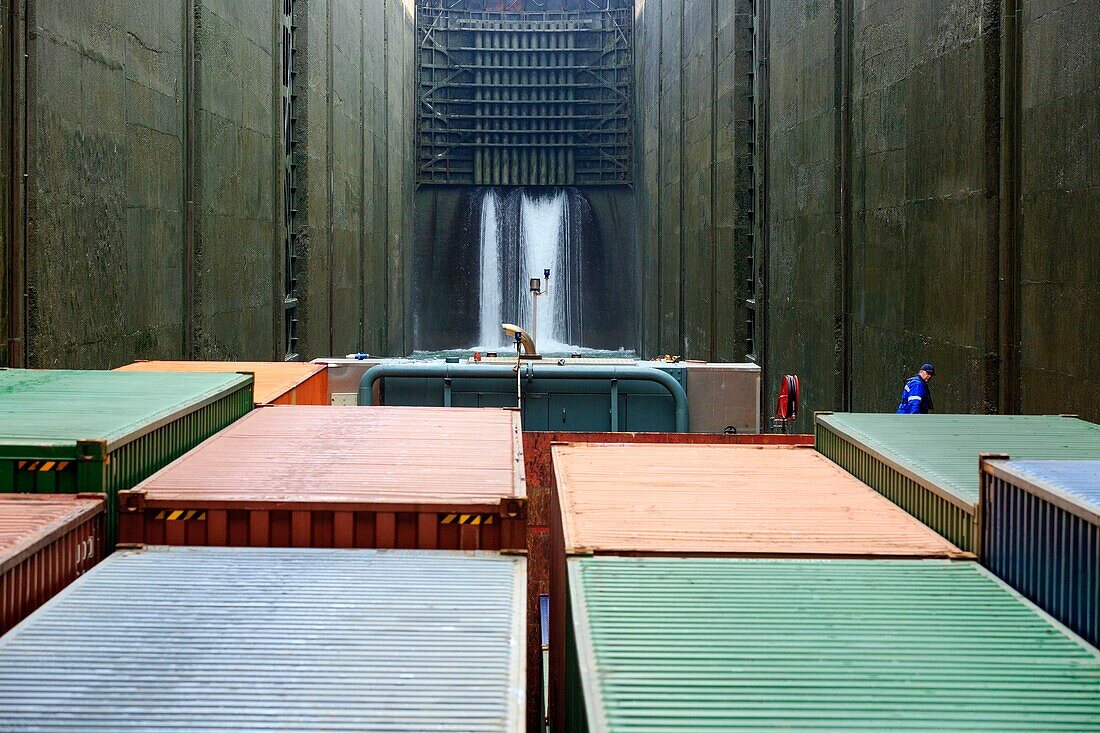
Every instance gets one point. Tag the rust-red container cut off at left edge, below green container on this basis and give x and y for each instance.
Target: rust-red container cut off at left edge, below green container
(47, 542)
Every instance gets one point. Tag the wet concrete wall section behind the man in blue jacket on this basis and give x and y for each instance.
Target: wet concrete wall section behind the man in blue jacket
(927, 202)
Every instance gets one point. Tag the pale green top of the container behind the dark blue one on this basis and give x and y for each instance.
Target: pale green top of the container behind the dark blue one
(944, 450)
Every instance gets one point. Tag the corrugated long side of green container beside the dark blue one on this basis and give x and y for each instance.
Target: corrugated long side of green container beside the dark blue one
(947, 515)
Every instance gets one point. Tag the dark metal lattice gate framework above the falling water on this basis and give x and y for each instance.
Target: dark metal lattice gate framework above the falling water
(525, 97)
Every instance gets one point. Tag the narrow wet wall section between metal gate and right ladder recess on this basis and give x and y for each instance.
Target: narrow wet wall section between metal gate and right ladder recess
(695, 86)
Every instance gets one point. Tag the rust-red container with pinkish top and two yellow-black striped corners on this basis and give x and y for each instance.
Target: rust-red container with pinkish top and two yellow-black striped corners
(343, 477)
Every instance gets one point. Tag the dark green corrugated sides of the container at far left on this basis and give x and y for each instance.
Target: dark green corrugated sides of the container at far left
(97, 466)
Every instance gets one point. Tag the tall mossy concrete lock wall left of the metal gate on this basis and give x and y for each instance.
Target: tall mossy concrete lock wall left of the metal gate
(152, 224)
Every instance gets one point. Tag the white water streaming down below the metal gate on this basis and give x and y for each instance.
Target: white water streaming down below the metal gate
(524, 233)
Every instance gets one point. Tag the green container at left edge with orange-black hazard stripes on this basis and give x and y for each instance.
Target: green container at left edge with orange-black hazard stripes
(69, 432)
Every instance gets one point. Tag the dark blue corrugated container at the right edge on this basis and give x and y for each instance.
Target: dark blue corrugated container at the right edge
(1041, 533)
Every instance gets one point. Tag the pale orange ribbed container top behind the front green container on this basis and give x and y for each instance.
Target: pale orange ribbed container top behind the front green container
(729, 500)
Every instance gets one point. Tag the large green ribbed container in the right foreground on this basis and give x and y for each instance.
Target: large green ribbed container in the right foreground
(695, 644)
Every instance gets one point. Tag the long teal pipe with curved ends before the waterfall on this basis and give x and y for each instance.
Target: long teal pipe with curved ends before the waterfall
(532, 371)
